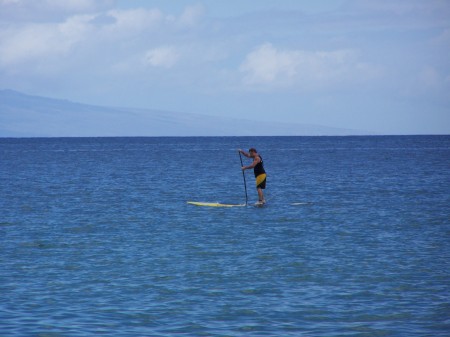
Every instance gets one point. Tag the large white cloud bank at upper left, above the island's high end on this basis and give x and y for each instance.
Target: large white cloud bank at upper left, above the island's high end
(119, 34)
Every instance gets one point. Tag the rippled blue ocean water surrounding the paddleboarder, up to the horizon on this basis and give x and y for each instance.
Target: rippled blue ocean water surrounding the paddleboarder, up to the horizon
(96, 237)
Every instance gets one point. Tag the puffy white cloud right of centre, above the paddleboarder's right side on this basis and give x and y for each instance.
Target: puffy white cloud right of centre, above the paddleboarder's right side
(268, 66)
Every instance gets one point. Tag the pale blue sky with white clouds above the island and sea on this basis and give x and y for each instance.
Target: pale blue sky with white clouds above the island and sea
(379, 66)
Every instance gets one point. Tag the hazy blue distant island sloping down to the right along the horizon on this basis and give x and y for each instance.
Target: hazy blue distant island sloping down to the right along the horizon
(23, 115)
